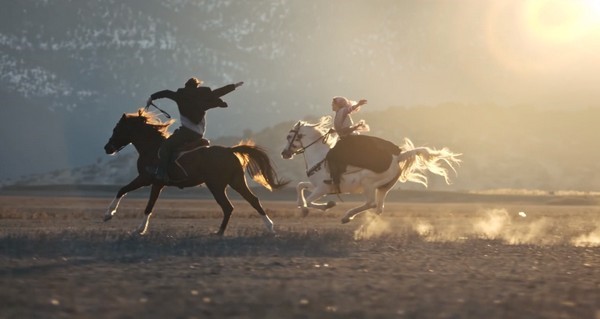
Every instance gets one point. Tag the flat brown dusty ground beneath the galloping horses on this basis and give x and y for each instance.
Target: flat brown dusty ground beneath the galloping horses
(452, 260)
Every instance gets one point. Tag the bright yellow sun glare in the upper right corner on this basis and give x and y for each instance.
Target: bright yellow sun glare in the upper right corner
(544, 36)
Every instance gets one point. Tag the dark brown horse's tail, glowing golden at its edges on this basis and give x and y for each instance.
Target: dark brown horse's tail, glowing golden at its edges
(258, 165)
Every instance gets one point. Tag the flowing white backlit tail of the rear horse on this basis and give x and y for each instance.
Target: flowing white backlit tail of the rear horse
(416, 161)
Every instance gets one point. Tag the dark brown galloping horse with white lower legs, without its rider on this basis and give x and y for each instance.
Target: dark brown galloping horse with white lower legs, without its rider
(215, 166)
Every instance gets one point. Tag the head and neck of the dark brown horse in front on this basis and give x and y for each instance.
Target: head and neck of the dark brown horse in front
(131, 126)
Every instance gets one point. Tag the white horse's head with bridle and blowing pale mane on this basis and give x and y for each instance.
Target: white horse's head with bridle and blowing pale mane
(303, 135)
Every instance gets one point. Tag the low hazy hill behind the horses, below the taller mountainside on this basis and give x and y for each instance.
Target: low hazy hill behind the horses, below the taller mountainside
(514, 148)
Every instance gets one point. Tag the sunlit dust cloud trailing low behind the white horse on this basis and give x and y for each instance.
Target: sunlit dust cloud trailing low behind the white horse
(511, 228)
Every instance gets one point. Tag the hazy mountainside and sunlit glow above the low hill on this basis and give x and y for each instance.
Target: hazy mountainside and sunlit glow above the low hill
(294, 56)
